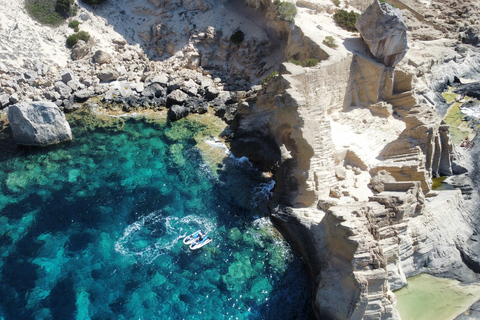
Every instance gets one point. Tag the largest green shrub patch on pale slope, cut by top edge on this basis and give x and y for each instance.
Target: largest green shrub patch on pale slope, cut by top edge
(50, 12)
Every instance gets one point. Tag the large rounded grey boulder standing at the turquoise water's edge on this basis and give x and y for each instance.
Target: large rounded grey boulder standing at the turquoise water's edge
(38, 124)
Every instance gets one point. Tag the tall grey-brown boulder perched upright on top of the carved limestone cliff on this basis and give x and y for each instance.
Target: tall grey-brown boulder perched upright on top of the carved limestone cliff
(384, 31)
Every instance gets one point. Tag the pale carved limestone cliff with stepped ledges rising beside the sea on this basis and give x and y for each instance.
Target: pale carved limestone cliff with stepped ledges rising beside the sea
(333, 131)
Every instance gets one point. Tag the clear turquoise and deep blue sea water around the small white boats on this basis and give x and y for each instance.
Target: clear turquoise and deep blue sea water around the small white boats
(92, 229)
